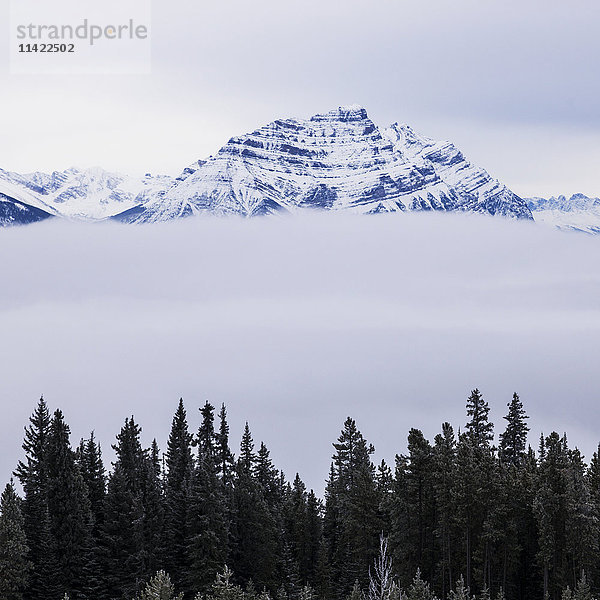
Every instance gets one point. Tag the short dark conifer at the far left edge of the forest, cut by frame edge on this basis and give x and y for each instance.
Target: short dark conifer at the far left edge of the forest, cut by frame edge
(14, 566)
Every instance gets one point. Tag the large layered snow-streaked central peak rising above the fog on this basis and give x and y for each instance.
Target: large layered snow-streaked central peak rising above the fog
(339, 160)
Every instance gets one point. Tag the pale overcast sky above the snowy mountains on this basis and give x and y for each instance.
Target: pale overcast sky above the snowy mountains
(514, 84)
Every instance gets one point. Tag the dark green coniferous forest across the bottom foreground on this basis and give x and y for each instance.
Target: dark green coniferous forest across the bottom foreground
(465, 515)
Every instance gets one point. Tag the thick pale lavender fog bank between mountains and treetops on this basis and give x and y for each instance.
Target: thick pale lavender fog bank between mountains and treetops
(297, 323)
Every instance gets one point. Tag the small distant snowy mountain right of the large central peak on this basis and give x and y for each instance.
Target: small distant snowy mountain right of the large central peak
(575, 213)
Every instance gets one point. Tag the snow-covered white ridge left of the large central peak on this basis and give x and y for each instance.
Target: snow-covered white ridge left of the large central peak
(89, 194)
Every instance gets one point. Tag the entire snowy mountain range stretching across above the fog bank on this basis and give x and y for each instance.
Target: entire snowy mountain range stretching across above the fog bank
(337, 161)
